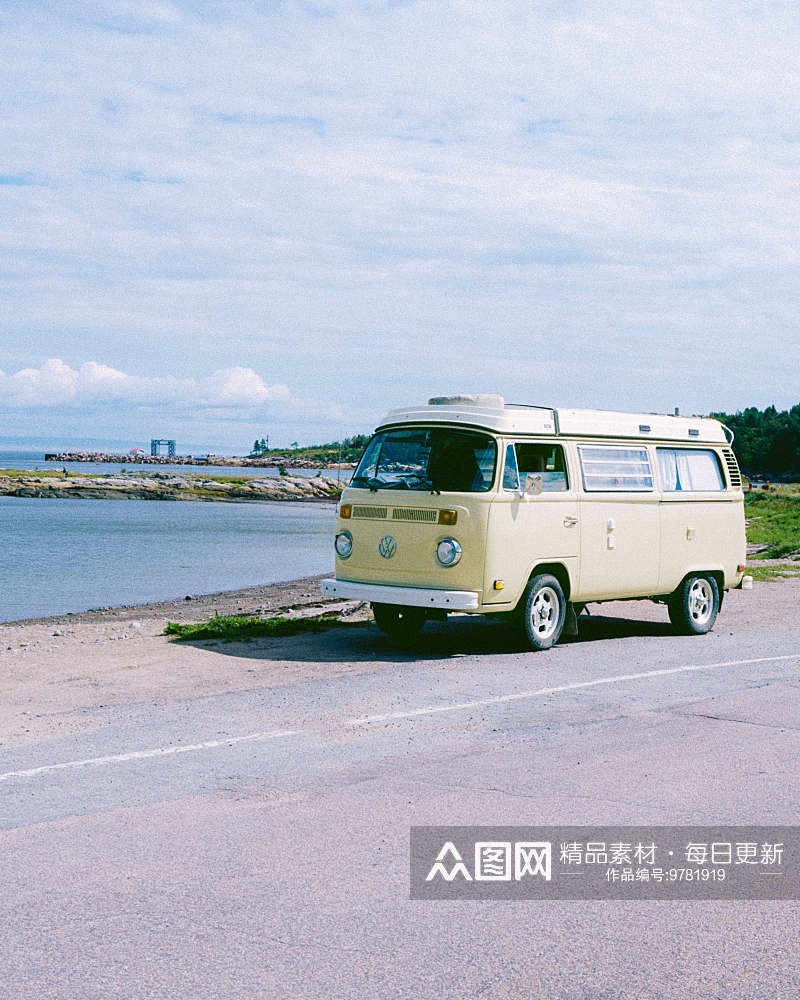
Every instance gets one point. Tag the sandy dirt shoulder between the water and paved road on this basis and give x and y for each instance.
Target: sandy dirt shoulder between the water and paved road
(58, 674)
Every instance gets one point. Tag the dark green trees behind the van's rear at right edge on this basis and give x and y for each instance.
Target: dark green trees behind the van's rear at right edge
(767, 442)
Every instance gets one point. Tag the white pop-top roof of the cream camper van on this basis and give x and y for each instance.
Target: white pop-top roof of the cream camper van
(494, 414)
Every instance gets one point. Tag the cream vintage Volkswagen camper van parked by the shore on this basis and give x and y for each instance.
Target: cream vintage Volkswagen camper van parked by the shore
(470, 504)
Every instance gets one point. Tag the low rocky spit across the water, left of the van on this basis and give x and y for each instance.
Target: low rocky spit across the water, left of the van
(169, 486)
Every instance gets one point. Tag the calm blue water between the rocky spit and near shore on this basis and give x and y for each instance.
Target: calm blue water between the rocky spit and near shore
(59, 555)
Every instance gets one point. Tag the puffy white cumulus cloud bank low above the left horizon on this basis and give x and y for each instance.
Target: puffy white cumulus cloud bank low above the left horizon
(92, 385)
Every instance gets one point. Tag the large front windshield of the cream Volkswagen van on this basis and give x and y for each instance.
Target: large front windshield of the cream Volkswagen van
(433, 458)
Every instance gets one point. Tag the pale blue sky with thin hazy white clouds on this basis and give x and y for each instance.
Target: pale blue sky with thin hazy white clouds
(226, 220)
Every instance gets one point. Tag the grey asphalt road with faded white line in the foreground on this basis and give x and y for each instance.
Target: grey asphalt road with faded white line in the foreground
(254, 843)
